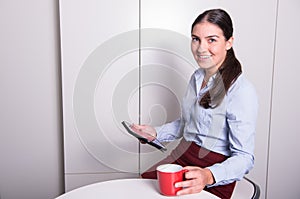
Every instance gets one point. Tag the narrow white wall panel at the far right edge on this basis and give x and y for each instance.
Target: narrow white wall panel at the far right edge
(284, 163)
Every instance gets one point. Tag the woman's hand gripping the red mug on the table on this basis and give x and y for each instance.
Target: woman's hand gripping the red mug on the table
(196, 179)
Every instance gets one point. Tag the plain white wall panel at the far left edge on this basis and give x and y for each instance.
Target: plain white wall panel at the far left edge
(30, 118)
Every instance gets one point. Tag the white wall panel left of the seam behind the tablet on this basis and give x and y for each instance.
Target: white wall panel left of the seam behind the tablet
(99, 76)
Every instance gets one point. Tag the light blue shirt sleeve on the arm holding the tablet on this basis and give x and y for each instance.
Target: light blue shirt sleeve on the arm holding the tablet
(169, 131)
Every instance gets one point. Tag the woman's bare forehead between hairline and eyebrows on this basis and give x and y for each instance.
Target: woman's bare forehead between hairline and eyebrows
(205, 29)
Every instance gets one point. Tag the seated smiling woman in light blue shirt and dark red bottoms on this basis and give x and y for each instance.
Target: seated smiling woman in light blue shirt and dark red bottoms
(218, 117)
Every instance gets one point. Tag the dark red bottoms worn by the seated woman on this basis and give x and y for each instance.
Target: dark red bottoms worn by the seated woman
(190, 154)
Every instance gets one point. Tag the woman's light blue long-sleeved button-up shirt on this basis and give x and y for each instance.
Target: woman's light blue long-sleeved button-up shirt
(228, 129)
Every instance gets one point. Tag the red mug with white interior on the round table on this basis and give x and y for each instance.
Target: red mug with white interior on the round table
(168, 175)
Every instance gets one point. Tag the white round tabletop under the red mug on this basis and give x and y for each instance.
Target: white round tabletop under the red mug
(126, 188)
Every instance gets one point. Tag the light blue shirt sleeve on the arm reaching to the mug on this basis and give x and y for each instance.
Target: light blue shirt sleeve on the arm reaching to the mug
(241, 117)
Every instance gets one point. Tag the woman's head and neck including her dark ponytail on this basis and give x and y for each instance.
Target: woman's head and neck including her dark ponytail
(212, 40)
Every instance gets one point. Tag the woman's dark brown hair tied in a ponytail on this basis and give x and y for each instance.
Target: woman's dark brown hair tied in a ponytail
(230, 69)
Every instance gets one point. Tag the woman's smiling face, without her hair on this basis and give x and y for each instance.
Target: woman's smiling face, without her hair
(209, 46)
